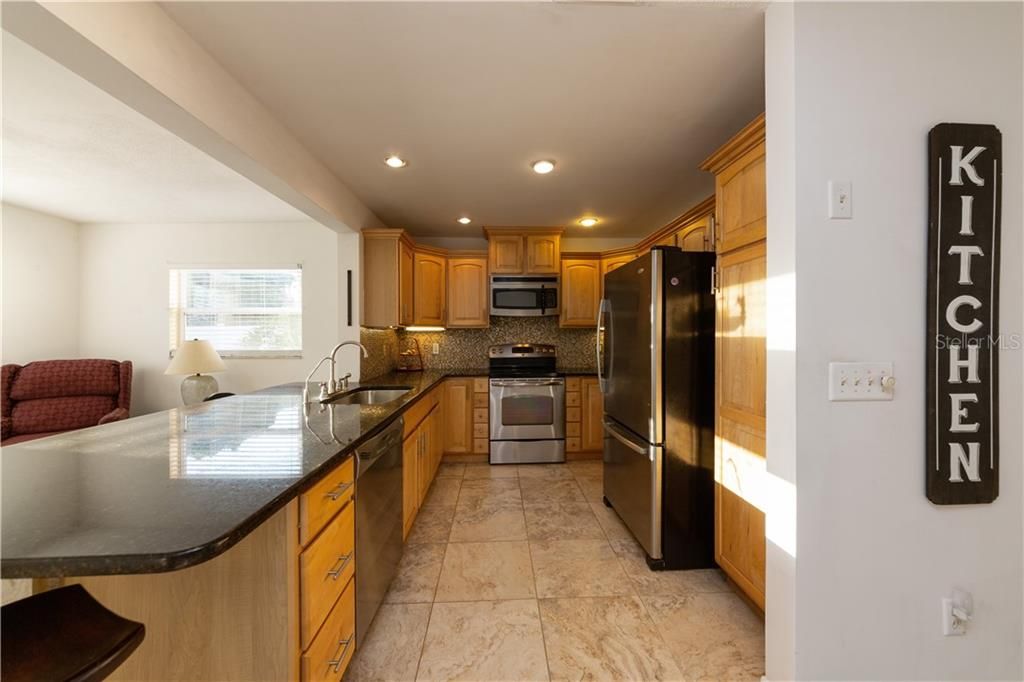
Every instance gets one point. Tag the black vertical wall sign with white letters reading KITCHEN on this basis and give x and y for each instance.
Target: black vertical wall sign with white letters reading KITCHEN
(965, 168)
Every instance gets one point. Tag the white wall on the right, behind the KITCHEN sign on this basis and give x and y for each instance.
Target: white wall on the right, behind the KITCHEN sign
(873, 557)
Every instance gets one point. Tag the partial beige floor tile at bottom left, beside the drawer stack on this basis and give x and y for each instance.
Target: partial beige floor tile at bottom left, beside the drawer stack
(392, 650)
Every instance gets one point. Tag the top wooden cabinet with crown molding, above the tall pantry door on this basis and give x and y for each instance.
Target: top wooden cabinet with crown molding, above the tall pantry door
(740, 188)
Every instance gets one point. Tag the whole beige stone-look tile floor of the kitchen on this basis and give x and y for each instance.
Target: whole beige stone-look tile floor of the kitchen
(523, 574)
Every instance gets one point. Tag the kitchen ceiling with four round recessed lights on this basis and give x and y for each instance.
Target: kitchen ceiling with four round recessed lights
(628, 99)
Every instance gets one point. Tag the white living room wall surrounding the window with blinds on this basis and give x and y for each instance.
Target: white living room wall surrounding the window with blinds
(124, 296)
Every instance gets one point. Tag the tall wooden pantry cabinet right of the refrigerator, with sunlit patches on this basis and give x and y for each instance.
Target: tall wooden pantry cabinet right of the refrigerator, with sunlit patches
(741, 473)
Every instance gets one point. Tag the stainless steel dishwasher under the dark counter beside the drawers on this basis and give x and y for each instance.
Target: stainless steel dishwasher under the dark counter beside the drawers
(378, 522)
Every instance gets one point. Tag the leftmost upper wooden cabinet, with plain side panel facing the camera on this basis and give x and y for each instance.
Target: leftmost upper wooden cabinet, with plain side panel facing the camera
(388, 279)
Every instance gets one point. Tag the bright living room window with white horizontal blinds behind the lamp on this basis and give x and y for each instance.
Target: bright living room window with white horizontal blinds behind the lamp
(249, 313)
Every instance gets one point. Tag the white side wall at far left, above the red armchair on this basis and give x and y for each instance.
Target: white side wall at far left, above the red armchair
(40, 286)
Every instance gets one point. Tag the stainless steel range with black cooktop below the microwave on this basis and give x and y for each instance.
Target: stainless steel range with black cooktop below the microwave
(528, 405)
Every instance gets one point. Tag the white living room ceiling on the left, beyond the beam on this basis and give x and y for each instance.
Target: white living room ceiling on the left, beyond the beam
(73, 151)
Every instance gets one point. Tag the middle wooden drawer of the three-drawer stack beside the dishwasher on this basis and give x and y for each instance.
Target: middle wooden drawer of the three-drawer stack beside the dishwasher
(324, 570)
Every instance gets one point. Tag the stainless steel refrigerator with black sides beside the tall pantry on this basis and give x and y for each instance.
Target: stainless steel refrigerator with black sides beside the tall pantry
(656, 348)
